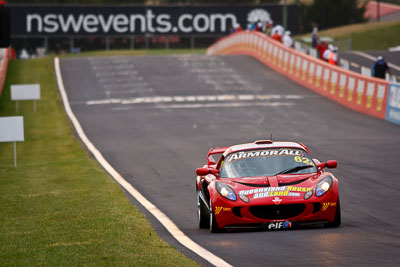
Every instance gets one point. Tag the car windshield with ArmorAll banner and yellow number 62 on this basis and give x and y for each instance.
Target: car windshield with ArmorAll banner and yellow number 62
(266, 162)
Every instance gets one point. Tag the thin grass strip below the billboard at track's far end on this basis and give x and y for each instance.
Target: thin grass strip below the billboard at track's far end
(139, 52)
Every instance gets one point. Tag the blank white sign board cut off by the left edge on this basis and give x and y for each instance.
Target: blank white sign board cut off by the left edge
(11, 129)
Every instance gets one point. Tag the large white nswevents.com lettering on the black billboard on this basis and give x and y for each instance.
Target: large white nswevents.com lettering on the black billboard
(149, 21)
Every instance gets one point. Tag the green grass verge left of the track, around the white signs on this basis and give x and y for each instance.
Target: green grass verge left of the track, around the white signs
(58, 207)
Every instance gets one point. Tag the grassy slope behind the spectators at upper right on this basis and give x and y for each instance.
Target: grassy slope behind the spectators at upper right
(366, 36)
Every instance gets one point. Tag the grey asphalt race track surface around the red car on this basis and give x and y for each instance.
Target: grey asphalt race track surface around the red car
(154, 118)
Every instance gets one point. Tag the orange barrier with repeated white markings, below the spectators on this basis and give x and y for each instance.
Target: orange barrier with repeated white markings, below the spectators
(360, 93)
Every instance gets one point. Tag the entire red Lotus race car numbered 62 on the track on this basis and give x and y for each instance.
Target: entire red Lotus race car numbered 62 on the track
(269, 184)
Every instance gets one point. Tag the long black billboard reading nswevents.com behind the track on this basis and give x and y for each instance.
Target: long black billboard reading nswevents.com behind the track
(137, 19)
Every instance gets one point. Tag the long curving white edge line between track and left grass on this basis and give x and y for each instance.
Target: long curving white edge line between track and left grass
(158, 214)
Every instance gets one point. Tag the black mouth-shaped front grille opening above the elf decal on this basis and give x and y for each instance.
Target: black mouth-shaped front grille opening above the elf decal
(277, 212)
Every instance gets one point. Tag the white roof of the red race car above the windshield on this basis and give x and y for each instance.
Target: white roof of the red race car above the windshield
(260, 144)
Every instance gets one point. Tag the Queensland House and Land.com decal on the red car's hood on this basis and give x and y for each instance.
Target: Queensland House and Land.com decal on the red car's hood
(293, 191)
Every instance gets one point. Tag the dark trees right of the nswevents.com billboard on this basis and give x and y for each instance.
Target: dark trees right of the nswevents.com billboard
(332, 13)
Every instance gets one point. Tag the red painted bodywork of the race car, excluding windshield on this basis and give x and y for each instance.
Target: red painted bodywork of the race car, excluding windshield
(275, 202)
